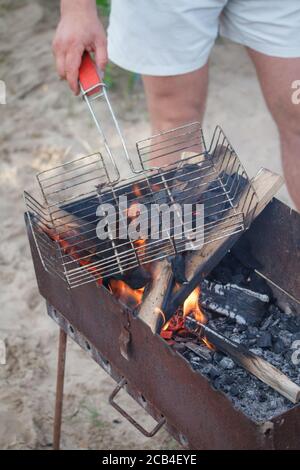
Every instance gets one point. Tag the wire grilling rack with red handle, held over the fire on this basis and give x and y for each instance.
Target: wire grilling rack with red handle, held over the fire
(173, 169)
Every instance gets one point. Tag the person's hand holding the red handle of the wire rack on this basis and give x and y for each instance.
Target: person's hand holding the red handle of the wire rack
(79, 29)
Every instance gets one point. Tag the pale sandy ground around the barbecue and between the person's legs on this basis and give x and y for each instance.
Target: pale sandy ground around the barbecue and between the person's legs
(42, 124)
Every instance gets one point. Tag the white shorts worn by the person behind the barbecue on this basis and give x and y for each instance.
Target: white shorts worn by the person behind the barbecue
(171, 37)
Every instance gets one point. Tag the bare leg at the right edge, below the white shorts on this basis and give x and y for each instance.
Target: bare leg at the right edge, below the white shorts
(276, 76)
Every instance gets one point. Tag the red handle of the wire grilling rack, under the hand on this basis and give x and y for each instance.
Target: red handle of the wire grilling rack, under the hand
(89, 78)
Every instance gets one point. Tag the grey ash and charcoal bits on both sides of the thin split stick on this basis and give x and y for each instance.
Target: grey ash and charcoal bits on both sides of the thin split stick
(254, 398)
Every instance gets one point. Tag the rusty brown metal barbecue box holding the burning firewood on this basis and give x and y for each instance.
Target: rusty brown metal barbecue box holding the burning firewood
(158, 377)
